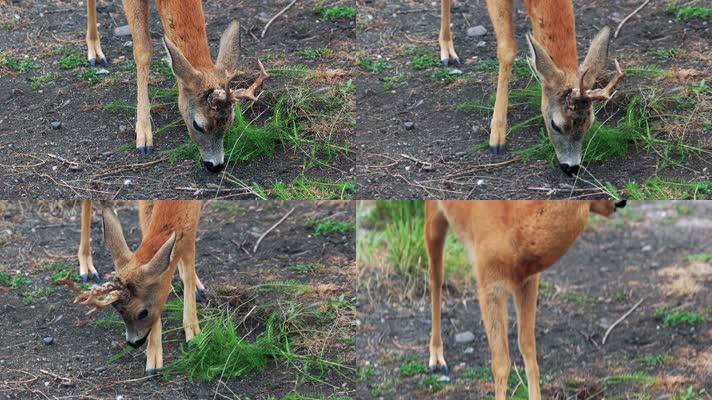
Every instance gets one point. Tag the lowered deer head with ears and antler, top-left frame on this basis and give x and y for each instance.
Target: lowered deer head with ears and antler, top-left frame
(205, 98)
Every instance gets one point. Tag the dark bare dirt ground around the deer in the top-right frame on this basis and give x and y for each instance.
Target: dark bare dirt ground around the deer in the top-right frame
(392, 159)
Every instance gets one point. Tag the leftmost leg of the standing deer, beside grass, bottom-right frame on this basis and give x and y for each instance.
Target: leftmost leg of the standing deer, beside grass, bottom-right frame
(435, 232)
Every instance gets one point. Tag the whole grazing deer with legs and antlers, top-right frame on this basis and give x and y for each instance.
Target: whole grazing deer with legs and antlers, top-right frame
(567, 89)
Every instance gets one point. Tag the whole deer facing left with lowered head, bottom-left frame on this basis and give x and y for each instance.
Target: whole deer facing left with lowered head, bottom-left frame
(140, 285)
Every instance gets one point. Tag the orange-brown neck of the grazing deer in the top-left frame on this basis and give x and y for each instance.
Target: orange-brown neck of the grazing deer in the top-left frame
(184, 24)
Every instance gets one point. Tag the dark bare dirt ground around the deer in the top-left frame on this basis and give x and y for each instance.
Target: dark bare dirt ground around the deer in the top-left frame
(92, 162)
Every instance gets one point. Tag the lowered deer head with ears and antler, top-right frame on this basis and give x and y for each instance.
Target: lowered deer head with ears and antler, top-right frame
(567, 98)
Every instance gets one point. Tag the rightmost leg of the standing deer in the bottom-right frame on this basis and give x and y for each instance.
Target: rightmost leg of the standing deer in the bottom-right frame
(525, 303)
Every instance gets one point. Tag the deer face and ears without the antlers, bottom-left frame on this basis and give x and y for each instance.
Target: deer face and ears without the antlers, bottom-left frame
(145, 284)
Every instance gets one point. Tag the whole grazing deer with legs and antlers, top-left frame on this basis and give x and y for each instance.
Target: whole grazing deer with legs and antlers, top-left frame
(205, 99)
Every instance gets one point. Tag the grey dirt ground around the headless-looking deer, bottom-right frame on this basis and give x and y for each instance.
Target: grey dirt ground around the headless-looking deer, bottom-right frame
(656, 251)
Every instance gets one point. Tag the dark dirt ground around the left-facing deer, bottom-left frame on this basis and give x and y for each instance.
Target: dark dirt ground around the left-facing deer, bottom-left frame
(36, 237)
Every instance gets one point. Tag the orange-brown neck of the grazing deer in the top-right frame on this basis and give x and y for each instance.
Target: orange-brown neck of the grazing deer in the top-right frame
(554, 27)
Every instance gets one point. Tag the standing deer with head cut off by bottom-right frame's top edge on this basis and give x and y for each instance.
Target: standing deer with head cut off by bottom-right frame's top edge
(509, 243)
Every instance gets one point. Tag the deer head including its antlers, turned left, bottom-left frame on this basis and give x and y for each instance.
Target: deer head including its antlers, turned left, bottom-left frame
(139, 288)
